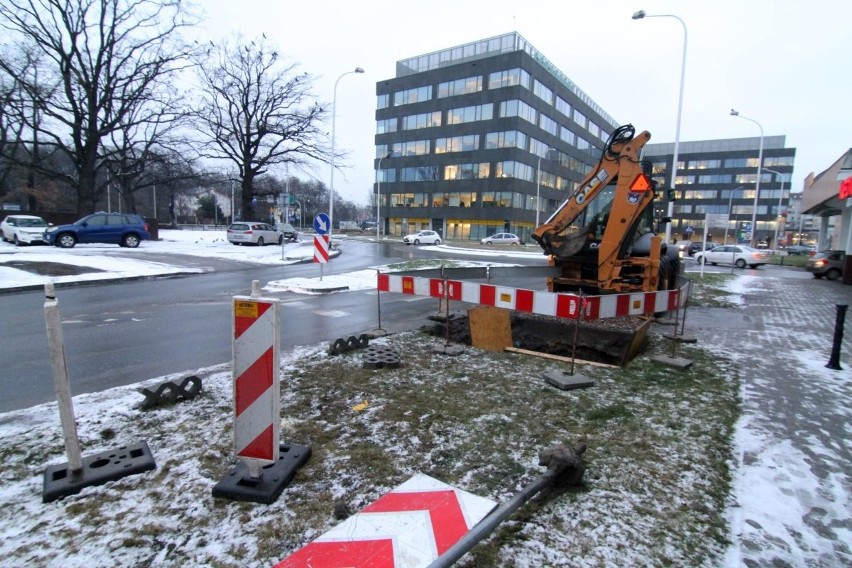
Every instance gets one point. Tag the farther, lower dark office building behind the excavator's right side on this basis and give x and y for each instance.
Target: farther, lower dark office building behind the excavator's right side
(720, 178)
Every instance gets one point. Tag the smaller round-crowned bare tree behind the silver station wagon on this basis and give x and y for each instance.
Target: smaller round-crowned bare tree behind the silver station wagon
(257, 112)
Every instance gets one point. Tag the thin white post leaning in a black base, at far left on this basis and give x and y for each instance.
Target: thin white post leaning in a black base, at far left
(60, 378)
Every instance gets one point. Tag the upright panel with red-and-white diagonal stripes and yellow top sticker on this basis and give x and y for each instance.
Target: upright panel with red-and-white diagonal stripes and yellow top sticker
(257, 376)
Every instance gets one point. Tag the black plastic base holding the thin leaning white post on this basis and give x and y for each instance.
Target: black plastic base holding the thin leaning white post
(60, 481)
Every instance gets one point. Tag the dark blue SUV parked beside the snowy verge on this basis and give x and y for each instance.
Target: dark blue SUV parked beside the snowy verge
(123, 229)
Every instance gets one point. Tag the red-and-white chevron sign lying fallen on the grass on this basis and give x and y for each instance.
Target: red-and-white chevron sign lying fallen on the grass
(410, 526)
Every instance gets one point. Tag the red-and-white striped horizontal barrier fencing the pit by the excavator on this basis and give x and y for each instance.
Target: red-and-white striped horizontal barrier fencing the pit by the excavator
(532, 301)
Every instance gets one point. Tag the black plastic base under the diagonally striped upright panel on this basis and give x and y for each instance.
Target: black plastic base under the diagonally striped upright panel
(238, 485)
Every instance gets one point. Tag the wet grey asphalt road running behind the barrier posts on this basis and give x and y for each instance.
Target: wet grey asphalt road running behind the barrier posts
(122, 333)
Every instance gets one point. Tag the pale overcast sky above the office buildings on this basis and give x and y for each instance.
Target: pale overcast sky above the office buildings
(783, 63)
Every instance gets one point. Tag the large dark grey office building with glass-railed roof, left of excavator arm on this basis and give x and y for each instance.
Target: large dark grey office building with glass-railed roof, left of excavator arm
(481, 138)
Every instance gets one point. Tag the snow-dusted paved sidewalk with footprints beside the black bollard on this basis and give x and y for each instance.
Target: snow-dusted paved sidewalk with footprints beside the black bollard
(791, 496)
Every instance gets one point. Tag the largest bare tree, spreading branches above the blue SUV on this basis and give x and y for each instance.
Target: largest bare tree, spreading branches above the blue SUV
(103, 62)
